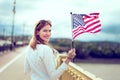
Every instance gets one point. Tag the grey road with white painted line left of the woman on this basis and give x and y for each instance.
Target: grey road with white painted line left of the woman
(12, 65)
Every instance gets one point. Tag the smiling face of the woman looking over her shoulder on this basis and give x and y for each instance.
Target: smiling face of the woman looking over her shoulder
(45, 33)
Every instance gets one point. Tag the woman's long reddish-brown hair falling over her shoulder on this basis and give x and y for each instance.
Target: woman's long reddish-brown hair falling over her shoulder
(35, 38)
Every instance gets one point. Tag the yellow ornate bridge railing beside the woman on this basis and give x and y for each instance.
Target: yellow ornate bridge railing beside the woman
(75, 72)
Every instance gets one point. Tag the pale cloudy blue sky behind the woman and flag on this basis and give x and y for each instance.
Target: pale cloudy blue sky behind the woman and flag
(29, 12)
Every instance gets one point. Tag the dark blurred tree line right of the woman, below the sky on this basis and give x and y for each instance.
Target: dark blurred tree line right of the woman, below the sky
(84, 50)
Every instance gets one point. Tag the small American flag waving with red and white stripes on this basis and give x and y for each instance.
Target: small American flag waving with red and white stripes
(83, 23)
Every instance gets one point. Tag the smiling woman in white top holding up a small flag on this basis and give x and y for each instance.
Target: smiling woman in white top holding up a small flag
(40, 58)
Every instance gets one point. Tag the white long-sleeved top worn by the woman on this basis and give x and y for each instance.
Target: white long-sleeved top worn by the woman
(41, 63)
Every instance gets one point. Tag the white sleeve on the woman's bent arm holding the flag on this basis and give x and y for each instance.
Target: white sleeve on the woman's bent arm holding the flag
(49, 62)
